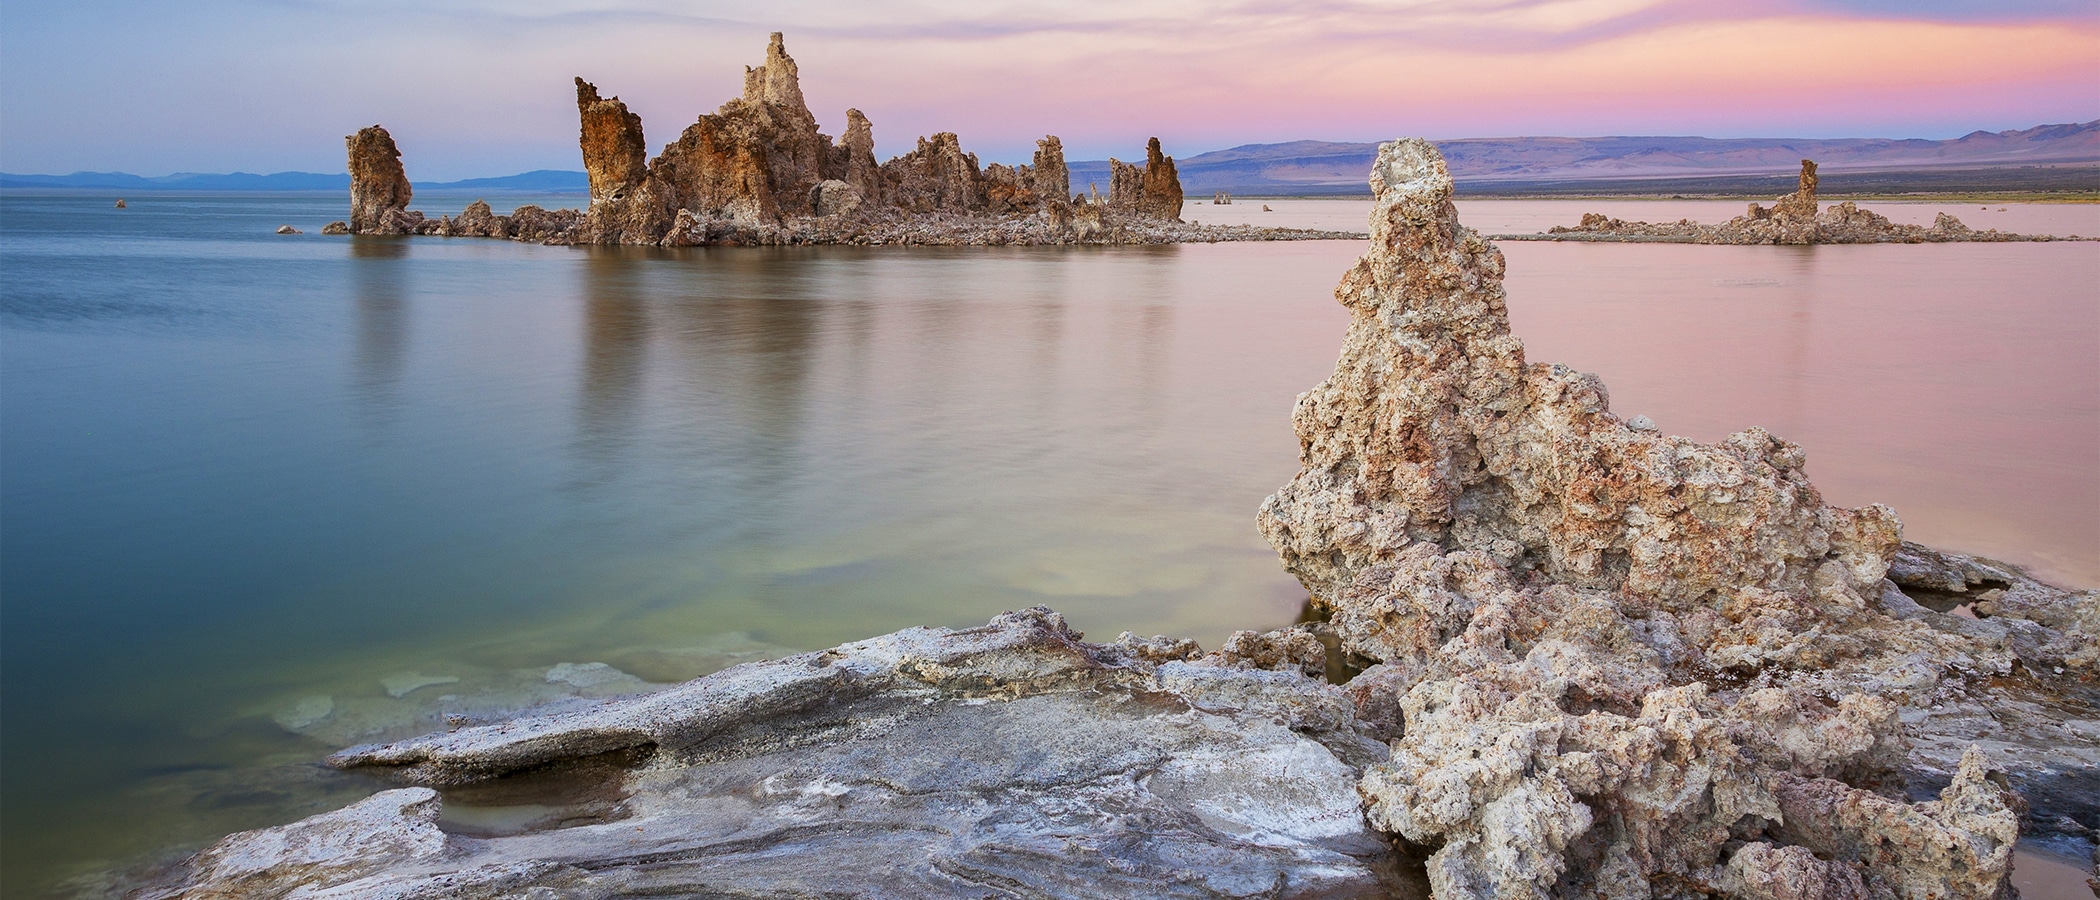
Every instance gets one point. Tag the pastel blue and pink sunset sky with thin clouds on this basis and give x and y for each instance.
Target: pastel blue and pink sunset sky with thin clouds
(484, 87)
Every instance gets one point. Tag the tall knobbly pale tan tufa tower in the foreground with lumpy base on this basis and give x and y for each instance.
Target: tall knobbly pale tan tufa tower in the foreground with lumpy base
(1612, 662)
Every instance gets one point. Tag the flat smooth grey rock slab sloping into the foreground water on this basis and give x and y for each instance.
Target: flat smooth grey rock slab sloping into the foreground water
(1001, 763)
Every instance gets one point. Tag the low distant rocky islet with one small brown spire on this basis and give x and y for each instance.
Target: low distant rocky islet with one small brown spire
(1792, 219)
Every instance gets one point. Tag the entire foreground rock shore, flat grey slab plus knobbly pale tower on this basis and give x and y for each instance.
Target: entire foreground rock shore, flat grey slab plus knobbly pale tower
(1555, 656)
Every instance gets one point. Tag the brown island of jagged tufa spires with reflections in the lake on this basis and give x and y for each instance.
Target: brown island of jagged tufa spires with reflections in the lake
(759, 173)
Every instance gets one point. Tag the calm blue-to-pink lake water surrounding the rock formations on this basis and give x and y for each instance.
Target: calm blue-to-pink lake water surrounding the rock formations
(268, 494)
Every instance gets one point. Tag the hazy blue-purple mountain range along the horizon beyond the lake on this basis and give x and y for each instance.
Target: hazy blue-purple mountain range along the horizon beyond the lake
(1324, 167)
